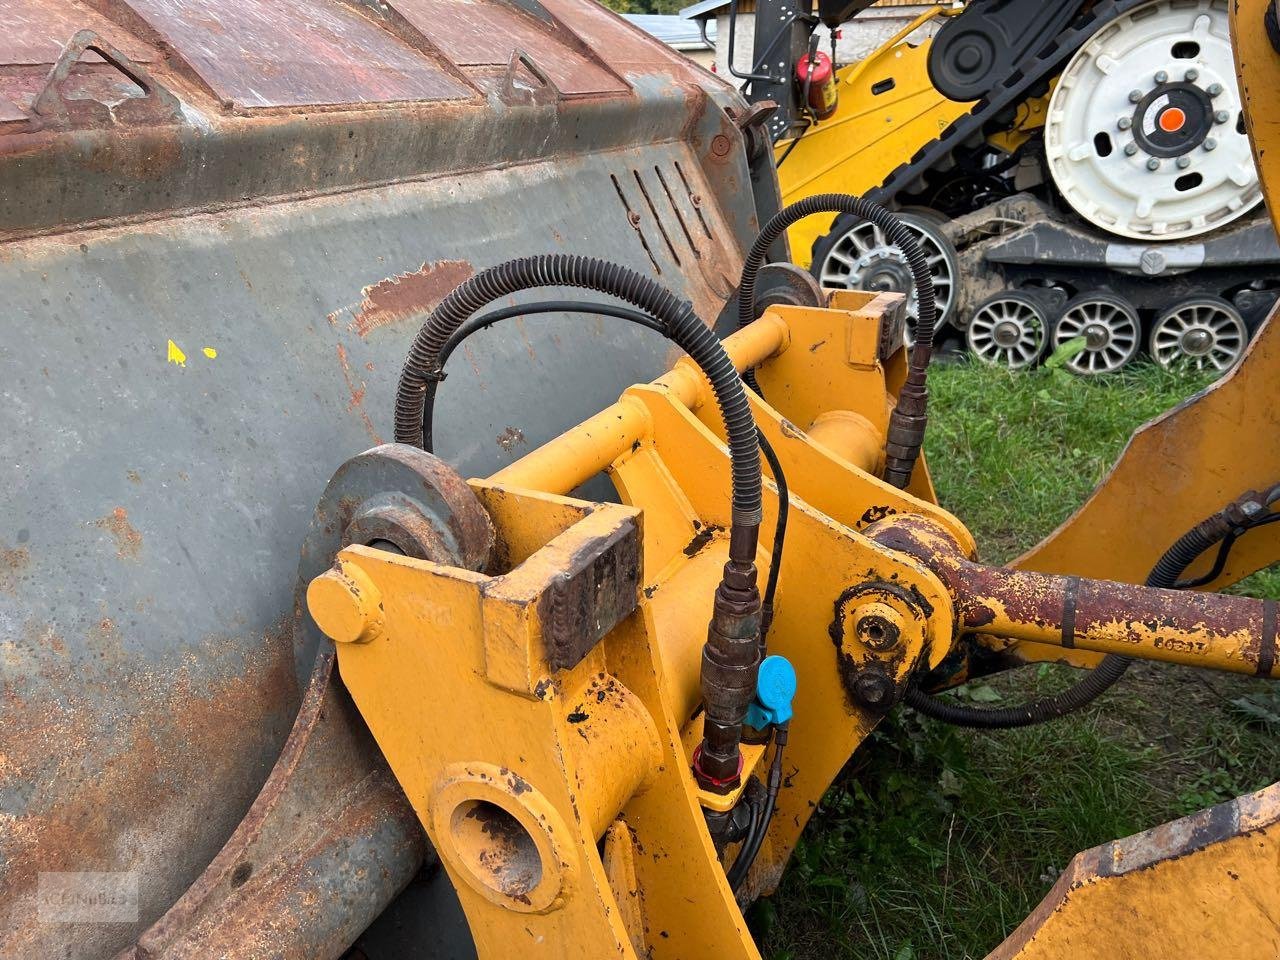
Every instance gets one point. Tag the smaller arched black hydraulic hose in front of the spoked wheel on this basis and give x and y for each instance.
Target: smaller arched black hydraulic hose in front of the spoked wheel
(911, 417)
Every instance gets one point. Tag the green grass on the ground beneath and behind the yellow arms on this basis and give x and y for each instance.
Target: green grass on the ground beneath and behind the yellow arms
(939, 842)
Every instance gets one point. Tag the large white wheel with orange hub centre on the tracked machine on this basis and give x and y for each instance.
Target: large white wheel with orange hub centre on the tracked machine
(1118, 193)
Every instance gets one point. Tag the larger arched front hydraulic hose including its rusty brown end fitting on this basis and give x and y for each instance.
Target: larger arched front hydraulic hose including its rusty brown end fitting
(732, 655)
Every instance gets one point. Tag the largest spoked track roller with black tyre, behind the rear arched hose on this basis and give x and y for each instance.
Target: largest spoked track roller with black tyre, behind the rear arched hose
(857, 255)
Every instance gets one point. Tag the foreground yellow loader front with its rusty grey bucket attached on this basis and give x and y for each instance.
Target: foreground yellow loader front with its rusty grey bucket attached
(278, 682)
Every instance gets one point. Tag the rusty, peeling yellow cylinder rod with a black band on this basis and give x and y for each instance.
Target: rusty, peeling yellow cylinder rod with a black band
(1218, 632)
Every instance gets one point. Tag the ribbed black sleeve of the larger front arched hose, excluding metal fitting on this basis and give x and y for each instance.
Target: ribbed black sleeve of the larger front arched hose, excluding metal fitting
(417, 391)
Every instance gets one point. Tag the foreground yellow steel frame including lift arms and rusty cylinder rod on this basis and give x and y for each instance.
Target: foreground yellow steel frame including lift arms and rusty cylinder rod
(541, 714)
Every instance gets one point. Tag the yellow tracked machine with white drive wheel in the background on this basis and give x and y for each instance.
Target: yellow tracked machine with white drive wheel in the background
(1076, 171)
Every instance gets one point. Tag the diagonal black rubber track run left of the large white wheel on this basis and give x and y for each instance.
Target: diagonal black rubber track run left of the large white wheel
(1011, 93)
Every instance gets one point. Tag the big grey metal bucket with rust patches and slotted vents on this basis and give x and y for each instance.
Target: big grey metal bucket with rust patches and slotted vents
(221, 225)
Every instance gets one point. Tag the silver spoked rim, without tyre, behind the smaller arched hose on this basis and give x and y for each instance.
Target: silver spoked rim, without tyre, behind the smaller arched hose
(865, 253)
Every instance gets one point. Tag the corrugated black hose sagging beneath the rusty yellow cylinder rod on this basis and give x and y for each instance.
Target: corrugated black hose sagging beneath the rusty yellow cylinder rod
(1101, 679)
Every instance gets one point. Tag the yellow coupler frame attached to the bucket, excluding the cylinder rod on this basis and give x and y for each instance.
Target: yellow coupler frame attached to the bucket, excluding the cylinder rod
(561, 798)
